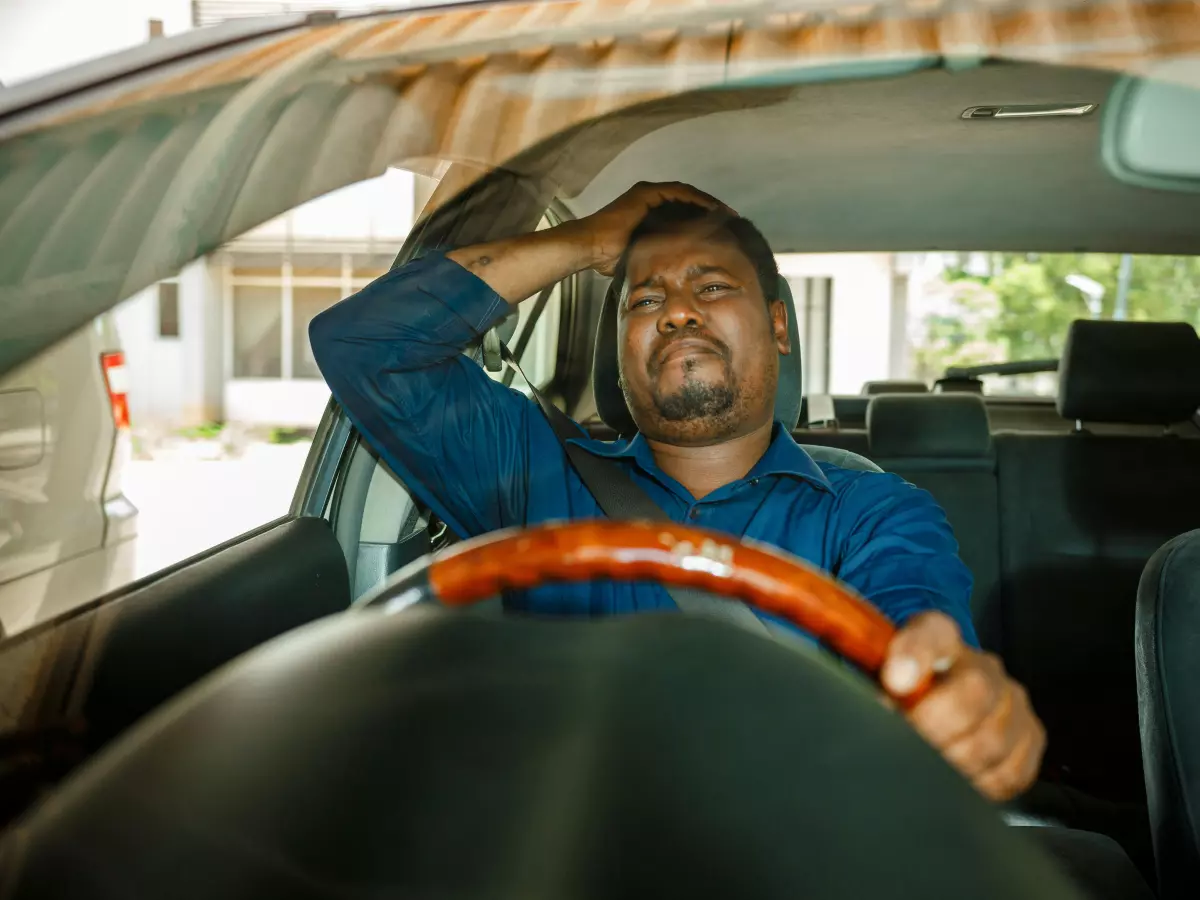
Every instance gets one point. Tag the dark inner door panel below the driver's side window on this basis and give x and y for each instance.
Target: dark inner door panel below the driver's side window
(71, 685)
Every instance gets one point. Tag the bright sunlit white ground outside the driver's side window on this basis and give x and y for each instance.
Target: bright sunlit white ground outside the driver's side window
(191, 496)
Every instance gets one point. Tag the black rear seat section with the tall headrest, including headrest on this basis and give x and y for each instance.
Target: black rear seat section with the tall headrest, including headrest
(1079, 517)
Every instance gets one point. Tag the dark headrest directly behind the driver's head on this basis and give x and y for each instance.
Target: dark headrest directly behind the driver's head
(611, 403)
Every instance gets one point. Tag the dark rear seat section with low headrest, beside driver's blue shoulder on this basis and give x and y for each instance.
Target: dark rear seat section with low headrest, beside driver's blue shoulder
(943, 443)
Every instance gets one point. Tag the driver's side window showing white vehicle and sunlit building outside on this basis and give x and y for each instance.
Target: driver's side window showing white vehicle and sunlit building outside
(193, 409)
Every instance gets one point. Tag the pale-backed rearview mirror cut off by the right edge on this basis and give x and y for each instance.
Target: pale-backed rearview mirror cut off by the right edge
(1151, 134)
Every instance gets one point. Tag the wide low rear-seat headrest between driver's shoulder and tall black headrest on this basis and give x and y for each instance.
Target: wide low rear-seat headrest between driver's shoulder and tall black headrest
(945, 427)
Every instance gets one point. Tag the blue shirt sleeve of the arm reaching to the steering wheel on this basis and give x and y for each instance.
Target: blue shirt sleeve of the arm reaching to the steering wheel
(901, 553)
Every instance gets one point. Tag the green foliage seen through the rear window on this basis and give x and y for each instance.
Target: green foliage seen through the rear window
(1023, 307)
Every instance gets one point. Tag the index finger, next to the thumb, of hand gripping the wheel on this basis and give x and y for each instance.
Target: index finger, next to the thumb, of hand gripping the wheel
(961, 701)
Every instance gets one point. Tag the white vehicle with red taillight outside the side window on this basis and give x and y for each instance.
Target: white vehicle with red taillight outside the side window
(67, 529)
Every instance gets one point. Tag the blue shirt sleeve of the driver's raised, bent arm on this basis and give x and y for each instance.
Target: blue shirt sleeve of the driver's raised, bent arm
(392, 356)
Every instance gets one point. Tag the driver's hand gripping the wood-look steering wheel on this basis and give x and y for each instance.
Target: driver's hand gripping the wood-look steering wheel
(979, 717)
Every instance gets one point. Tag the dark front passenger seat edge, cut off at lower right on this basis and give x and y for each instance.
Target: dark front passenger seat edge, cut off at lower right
(1168, 653)
